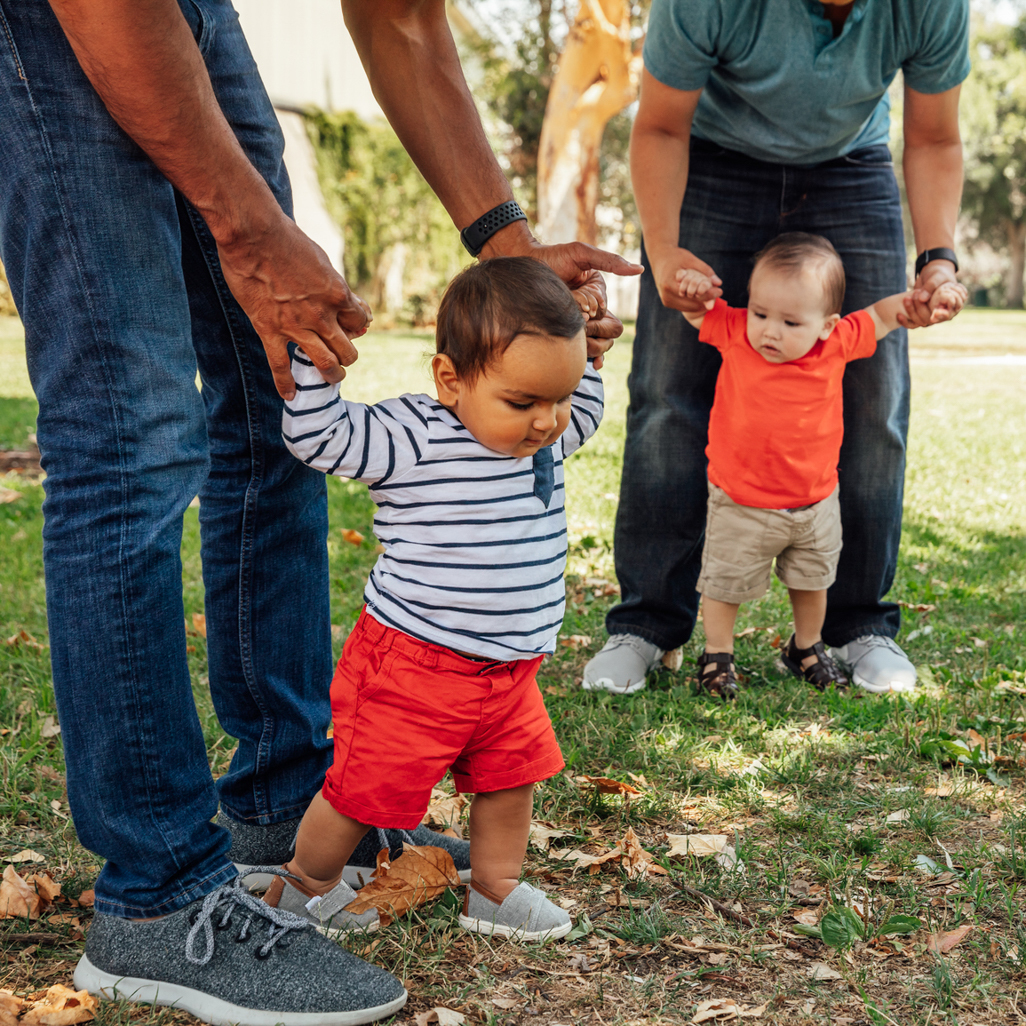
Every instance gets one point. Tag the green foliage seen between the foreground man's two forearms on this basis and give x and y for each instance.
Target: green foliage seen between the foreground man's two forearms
(380, 201)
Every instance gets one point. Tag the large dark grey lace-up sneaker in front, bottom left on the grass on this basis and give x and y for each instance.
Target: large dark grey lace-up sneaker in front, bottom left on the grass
(230, 959)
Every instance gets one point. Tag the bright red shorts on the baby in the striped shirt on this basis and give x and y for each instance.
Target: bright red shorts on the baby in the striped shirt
(405, 712)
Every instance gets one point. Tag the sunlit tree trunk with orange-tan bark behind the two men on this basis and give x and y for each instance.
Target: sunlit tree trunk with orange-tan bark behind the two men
(598, 78)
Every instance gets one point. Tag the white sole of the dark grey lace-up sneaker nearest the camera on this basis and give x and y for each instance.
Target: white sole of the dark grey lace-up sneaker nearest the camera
(214, 1010)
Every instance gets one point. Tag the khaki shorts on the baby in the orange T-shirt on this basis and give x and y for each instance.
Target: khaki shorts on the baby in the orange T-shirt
(742, 542)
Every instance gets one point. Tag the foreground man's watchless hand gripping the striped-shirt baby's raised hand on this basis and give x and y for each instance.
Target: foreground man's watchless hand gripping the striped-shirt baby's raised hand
(288, 288)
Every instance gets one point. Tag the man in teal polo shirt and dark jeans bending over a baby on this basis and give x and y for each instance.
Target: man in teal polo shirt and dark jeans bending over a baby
(775, 116)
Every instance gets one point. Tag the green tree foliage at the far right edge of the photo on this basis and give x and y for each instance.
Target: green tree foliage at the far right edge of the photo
(994, 119)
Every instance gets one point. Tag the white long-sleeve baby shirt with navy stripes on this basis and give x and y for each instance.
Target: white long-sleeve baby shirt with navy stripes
(473, 561)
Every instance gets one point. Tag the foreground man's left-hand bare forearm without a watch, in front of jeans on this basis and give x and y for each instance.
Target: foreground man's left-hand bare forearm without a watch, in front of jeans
(143, 61)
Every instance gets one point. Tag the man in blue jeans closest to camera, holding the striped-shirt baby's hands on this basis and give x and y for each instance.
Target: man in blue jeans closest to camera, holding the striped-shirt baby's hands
(144, 224)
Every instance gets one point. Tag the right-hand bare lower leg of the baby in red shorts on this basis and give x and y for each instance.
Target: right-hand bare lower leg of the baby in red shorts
(500, 822)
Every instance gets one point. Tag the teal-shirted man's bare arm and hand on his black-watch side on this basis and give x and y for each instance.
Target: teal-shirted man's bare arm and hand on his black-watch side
(933, 166)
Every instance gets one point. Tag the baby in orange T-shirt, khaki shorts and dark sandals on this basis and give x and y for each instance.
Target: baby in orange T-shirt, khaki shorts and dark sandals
(775, 437)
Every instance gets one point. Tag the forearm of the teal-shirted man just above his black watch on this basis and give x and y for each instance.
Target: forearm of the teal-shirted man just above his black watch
(934, 185)
